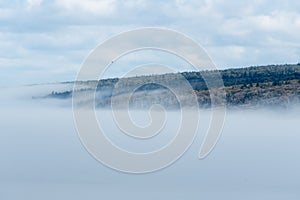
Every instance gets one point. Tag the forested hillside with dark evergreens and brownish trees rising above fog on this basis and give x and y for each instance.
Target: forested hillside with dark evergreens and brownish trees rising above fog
(251, 87)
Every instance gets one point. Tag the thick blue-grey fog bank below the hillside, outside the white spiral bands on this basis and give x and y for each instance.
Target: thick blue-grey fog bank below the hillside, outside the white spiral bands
(257, 156)
